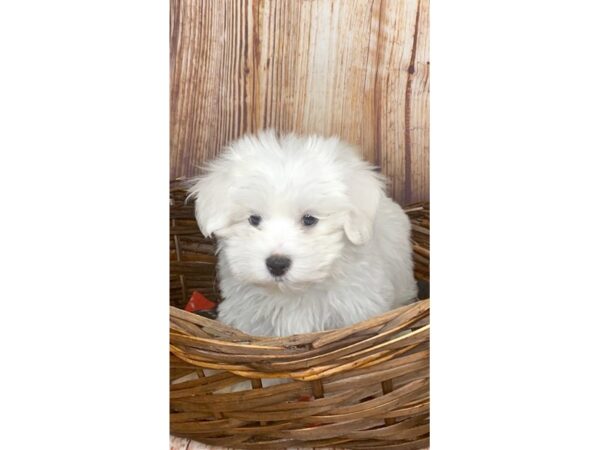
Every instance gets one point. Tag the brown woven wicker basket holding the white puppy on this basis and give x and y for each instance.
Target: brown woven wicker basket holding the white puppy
(364, 387)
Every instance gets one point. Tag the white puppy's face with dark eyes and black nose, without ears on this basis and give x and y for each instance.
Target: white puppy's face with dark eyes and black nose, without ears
(282, 240)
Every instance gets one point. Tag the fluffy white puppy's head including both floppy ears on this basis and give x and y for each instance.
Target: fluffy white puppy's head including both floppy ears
(283, 210)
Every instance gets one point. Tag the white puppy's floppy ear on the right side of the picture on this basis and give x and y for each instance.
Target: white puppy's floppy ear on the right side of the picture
(365, 188)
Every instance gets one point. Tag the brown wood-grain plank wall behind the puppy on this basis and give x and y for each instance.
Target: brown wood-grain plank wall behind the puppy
(355, 68)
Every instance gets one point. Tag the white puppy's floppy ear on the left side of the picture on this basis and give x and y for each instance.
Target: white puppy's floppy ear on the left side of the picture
(212, 199)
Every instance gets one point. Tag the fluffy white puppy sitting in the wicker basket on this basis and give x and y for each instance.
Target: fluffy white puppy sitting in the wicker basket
(307, 238)
